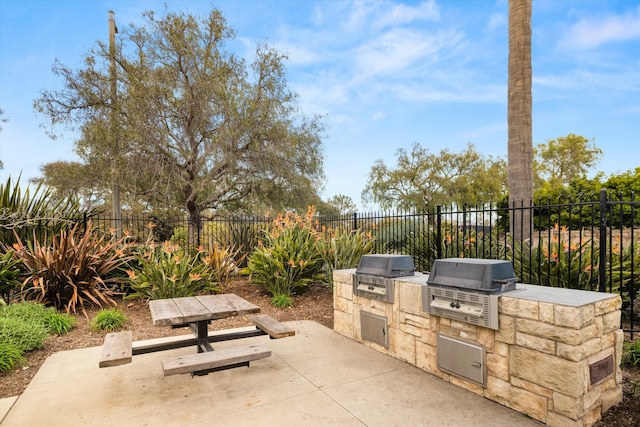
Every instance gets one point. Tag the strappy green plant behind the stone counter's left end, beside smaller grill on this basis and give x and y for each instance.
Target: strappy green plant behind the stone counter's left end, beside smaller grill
(342, 250)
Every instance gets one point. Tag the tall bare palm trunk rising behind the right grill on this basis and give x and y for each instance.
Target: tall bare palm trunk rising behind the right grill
(520, 144)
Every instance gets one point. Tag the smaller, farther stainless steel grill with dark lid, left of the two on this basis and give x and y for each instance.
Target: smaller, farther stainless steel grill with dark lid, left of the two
(375, 275)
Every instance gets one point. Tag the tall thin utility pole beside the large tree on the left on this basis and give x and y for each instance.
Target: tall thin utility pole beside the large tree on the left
(115, 138)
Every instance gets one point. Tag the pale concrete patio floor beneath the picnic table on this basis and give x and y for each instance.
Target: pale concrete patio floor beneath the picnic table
(316, 378)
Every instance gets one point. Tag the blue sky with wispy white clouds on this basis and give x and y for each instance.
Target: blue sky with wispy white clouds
(385, 74)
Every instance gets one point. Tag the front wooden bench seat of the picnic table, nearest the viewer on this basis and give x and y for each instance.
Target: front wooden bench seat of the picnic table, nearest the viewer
(214, 359)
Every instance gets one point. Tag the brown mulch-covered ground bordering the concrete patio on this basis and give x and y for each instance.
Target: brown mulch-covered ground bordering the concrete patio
(316, 305)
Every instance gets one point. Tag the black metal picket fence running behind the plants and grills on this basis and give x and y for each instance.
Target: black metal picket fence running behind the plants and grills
(589, 244)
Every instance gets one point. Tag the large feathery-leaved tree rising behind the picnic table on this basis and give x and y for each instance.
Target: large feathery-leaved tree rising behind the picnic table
(198, 127)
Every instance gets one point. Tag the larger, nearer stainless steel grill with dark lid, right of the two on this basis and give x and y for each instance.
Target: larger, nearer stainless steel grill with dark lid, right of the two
(467, 289)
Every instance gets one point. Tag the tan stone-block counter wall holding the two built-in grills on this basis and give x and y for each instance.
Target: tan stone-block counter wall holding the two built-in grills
(537, 363)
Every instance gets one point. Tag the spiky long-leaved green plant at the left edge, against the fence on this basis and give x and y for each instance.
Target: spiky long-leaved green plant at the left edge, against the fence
(27, 214)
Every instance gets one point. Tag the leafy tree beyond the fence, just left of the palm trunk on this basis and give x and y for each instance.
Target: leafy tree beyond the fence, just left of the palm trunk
(421, 177)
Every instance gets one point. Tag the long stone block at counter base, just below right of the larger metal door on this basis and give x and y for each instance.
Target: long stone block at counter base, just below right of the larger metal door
(519, 399)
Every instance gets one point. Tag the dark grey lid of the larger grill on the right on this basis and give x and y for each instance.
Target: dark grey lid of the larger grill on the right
(487, 275)
